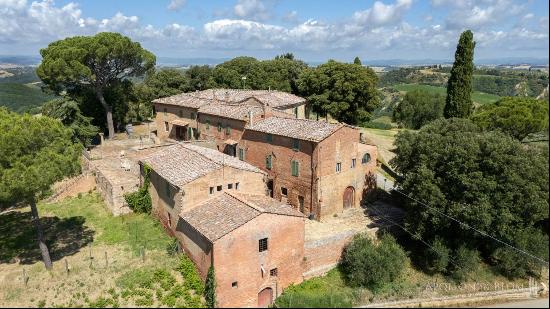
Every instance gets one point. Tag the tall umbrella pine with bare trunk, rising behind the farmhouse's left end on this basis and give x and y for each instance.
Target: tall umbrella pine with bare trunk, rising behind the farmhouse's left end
(95, 63)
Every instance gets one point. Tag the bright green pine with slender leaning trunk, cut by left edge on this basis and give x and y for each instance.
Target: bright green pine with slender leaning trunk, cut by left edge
(35, 152)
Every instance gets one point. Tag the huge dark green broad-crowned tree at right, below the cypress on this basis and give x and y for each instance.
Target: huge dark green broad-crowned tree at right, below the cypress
(485, 179)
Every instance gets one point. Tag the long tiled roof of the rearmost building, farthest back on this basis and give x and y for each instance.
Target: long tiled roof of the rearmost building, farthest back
(276, 99)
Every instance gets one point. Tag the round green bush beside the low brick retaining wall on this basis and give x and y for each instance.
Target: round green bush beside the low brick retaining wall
(371, 265)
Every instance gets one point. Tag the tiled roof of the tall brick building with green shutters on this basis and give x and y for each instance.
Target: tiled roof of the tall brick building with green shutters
(303, 129)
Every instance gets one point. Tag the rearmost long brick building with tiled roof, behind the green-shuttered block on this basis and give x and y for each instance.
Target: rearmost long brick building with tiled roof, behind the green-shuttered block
(221, 114)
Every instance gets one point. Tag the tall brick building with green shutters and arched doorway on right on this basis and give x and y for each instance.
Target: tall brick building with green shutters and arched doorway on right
(318, 167)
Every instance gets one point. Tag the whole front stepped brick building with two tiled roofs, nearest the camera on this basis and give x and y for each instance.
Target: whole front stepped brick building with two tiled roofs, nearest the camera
(216, 206)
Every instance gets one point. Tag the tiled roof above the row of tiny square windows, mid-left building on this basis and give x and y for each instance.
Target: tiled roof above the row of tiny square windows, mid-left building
(182, 163)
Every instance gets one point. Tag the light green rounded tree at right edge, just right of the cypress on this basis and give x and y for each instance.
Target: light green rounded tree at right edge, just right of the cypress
(516, 116)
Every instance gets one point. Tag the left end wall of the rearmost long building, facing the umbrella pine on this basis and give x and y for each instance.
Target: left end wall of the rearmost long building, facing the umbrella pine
(172, 113)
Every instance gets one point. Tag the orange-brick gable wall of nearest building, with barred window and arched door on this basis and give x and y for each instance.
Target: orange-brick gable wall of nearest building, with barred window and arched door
(236, 259)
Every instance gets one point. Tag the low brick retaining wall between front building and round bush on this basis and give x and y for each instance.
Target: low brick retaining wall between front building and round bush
(321, 255)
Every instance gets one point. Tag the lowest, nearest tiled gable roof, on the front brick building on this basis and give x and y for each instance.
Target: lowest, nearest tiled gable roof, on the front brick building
(220, 215)
